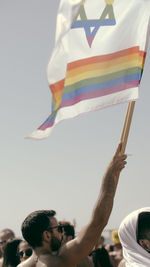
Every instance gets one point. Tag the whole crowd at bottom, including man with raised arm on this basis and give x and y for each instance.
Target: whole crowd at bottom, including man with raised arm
(48, 242)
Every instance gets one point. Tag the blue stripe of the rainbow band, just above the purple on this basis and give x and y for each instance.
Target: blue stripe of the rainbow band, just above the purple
(101, 86)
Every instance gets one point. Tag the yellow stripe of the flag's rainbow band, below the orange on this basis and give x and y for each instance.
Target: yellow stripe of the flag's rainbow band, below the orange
(99, 73)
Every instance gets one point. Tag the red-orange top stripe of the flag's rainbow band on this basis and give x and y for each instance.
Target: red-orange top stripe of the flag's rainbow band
(97, 59)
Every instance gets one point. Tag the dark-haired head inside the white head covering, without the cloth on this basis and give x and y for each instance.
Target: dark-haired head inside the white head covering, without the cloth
(143, 230)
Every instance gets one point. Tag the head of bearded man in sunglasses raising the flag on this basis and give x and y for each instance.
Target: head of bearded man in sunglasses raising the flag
(41, 229)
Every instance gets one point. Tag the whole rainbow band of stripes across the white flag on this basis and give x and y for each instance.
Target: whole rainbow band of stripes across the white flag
(96, 77)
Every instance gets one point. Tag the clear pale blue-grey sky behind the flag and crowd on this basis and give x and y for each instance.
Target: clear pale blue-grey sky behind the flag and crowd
(63, 172)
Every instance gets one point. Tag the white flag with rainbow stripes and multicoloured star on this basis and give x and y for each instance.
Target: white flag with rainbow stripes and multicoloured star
(98, 58)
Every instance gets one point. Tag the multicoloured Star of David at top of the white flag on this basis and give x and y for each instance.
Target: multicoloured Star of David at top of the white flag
(91, 27)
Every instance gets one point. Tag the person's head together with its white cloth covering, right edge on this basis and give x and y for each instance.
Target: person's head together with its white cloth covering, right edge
(134, 234)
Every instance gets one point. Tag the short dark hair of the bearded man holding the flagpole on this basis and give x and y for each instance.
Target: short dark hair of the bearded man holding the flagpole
(34, 225)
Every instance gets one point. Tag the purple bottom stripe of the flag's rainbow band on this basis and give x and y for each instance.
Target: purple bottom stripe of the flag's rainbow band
(99, 93)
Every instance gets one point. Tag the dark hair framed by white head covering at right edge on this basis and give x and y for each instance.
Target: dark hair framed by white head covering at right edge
(143, 226)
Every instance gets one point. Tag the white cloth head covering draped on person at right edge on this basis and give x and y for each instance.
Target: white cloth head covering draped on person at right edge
(134, 254)
